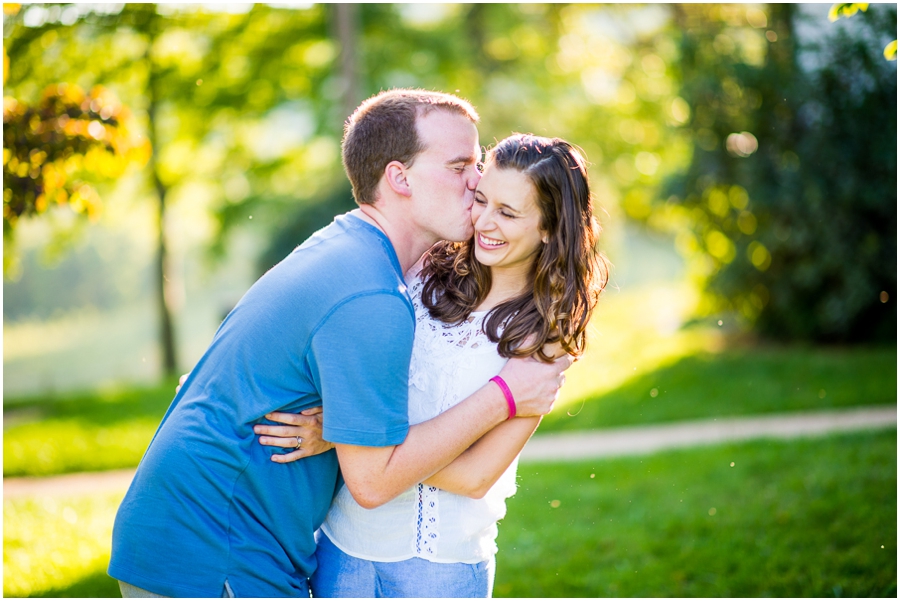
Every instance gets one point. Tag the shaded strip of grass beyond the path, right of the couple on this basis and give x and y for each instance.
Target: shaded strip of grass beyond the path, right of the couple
(744, 381)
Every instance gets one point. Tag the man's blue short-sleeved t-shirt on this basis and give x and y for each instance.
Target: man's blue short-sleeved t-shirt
(330, 325)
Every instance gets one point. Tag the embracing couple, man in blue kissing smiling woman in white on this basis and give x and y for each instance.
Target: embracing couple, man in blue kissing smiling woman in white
(432, 325)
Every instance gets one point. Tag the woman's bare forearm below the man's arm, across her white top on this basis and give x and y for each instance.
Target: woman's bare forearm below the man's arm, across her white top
(474, 472)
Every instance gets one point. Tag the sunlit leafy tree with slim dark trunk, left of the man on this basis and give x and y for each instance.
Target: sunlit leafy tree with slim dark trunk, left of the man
(205, 87)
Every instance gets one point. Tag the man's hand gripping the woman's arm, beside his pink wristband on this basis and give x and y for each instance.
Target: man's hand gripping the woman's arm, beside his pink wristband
(535, 385)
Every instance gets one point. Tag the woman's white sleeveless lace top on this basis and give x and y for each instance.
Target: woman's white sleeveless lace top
(449, 363)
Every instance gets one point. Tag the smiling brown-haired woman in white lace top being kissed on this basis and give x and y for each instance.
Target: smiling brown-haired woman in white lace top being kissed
(524, 285)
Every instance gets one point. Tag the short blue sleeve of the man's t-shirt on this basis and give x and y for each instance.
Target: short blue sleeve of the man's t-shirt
(359, 359)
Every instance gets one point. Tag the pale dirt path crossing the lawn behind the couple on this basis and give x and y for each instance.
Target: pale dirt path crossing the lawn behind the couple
(564, 446)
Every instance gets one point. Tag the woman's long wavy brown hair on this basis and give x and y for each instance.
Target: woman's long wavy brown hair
(566, 277)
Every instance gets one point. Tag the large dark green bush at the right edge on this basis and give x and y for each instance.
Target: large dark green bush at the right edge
(789, 206)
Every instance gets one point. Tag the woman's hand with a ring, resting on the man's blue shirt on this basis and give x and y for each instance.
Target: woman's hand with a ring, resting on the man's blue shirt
(303, 433)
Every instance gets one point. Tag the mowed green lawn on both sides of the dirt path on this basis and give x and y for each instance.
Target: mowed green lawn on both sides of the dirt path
(812, 517)
